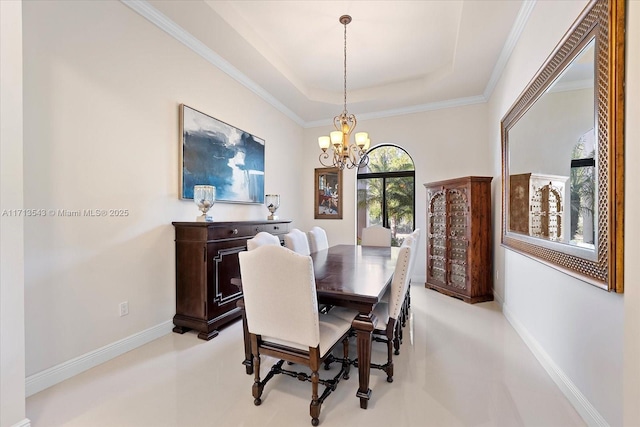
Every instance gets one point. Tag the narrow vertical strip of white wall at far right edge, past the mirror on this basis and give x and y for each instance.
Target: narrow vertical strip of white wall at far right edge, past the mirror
(632, 225)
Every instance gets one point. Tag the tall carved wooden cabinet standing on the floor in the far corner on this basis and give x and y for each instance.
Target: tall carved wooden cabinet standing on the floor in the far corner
(459, 261)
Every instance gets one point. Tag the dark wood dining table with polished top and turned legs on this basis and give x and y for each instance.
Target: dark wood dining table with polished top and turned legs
(350, 276)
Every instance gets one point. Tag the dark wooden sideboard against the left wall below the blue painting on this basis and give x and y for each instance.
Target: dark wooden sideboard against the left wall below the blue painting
(206, 261)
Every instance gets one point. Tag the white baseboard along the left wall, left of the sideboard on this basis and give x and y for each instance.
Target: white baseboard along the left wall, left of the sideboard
(54, 375)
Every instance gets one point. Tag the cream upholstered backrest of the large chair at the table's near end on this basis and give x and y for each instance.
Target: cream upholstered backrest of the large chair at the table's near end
(280, 295)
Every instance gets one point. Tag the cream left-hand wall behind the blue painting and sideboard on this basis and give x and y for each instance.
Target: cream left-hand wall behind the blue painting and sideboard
(102, 89)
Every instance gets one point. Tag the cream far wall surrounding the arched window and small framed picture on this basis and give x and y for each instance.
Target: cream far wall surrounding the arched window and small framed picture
(444, 144)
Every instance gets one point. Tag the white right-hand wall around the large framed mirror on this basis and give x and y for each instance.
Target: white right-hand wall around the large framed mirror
(578, 327)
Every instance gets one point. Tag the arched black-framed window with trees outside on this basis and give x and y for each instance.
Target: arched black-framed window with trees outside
(386, 192)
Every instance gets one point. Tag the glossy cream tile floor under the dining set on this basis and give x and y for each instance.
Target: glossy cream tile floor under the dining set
(459, 365)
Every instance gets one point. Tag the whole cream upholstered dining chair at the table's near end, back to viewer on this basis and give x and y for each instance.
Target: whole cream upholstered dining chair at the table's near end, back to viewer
(283, 320)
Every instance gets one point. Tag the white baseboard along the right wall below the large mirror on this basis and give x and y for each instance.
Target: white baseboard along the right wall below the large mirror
(586, 410)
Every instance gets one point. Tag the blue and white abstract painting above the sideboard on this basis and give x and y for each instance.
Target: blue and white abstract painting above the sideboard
(218, 154)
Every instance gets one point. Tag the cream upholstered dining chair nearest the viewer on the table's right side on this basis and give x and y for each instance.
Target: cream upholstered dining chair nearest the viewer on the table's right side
(388, 314)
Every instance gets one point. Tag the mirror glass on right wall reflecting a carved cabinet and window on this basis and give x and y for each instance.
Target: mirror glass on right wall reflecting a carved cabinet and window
(552, 151)
